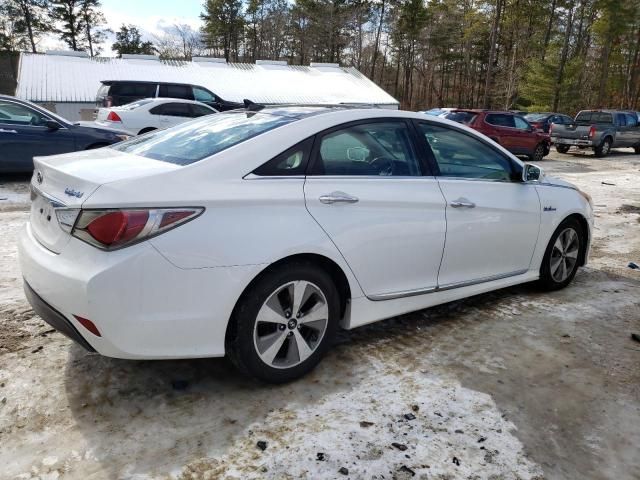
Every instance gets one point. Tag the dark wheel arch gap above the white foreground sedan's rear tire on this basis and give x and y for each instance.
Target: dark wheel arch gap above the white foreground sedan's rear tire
(334, 270)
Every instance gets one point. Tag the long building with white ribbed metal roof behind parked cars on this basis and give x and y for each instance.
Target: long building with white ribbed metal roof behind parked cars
(58, 78)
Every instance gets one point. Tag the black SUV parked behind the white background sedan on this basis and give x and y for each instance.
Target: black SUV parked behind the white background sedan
(114, 93)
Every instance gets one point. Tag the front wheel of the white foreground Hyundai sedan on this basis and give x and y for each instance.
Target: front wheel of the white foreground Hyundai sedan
(562, 257)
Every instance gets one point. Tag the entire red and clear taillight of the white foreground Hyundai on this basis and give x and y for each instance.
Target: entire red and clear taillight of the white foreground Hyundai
(112, 229)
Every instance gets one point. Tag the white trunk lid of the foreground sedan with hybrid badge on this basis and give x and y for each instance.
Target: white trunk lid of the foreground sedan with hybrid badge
(66, 181)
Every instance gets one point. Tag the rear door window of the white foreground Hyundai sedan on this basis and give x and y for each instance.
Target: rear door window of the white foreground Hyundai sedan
(371, 149)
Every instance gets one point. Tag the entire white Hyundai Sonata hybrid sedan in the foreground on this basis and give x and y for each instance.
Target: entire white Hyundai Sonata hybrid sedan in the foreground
(257, 233)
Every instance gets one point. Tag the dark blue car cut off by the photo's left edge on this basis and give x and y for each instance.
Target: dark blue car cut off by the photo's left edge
(27, 130)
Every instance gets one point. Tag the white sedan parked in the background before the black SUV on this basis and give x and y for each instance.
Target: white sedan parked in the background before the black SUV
(150, 114)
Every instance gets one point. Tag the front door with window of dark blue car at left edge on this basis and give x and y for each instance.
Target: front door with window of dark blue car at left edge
(24, 134)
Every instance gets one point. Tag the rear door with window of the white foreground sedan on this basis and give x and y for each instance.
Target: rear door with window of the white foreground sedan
(368, 190)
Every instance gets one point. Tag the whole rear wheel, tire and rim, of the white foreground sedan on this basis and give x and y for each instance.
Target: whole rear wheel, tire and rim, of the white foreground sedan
(284, 323)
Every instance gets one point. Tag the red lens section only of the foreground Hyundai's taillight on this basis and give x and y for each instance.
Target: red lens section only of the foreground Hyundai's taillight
(118, 227)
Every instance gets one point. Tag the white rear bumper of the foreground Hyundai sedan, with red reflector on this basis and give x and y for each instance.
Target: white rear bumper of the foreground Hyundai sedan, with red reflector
(143, 306)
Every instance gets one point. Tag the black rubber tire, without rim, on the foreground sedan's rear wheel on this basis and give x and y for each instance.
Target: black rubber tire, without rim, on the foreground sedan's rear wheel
(240, 345)
